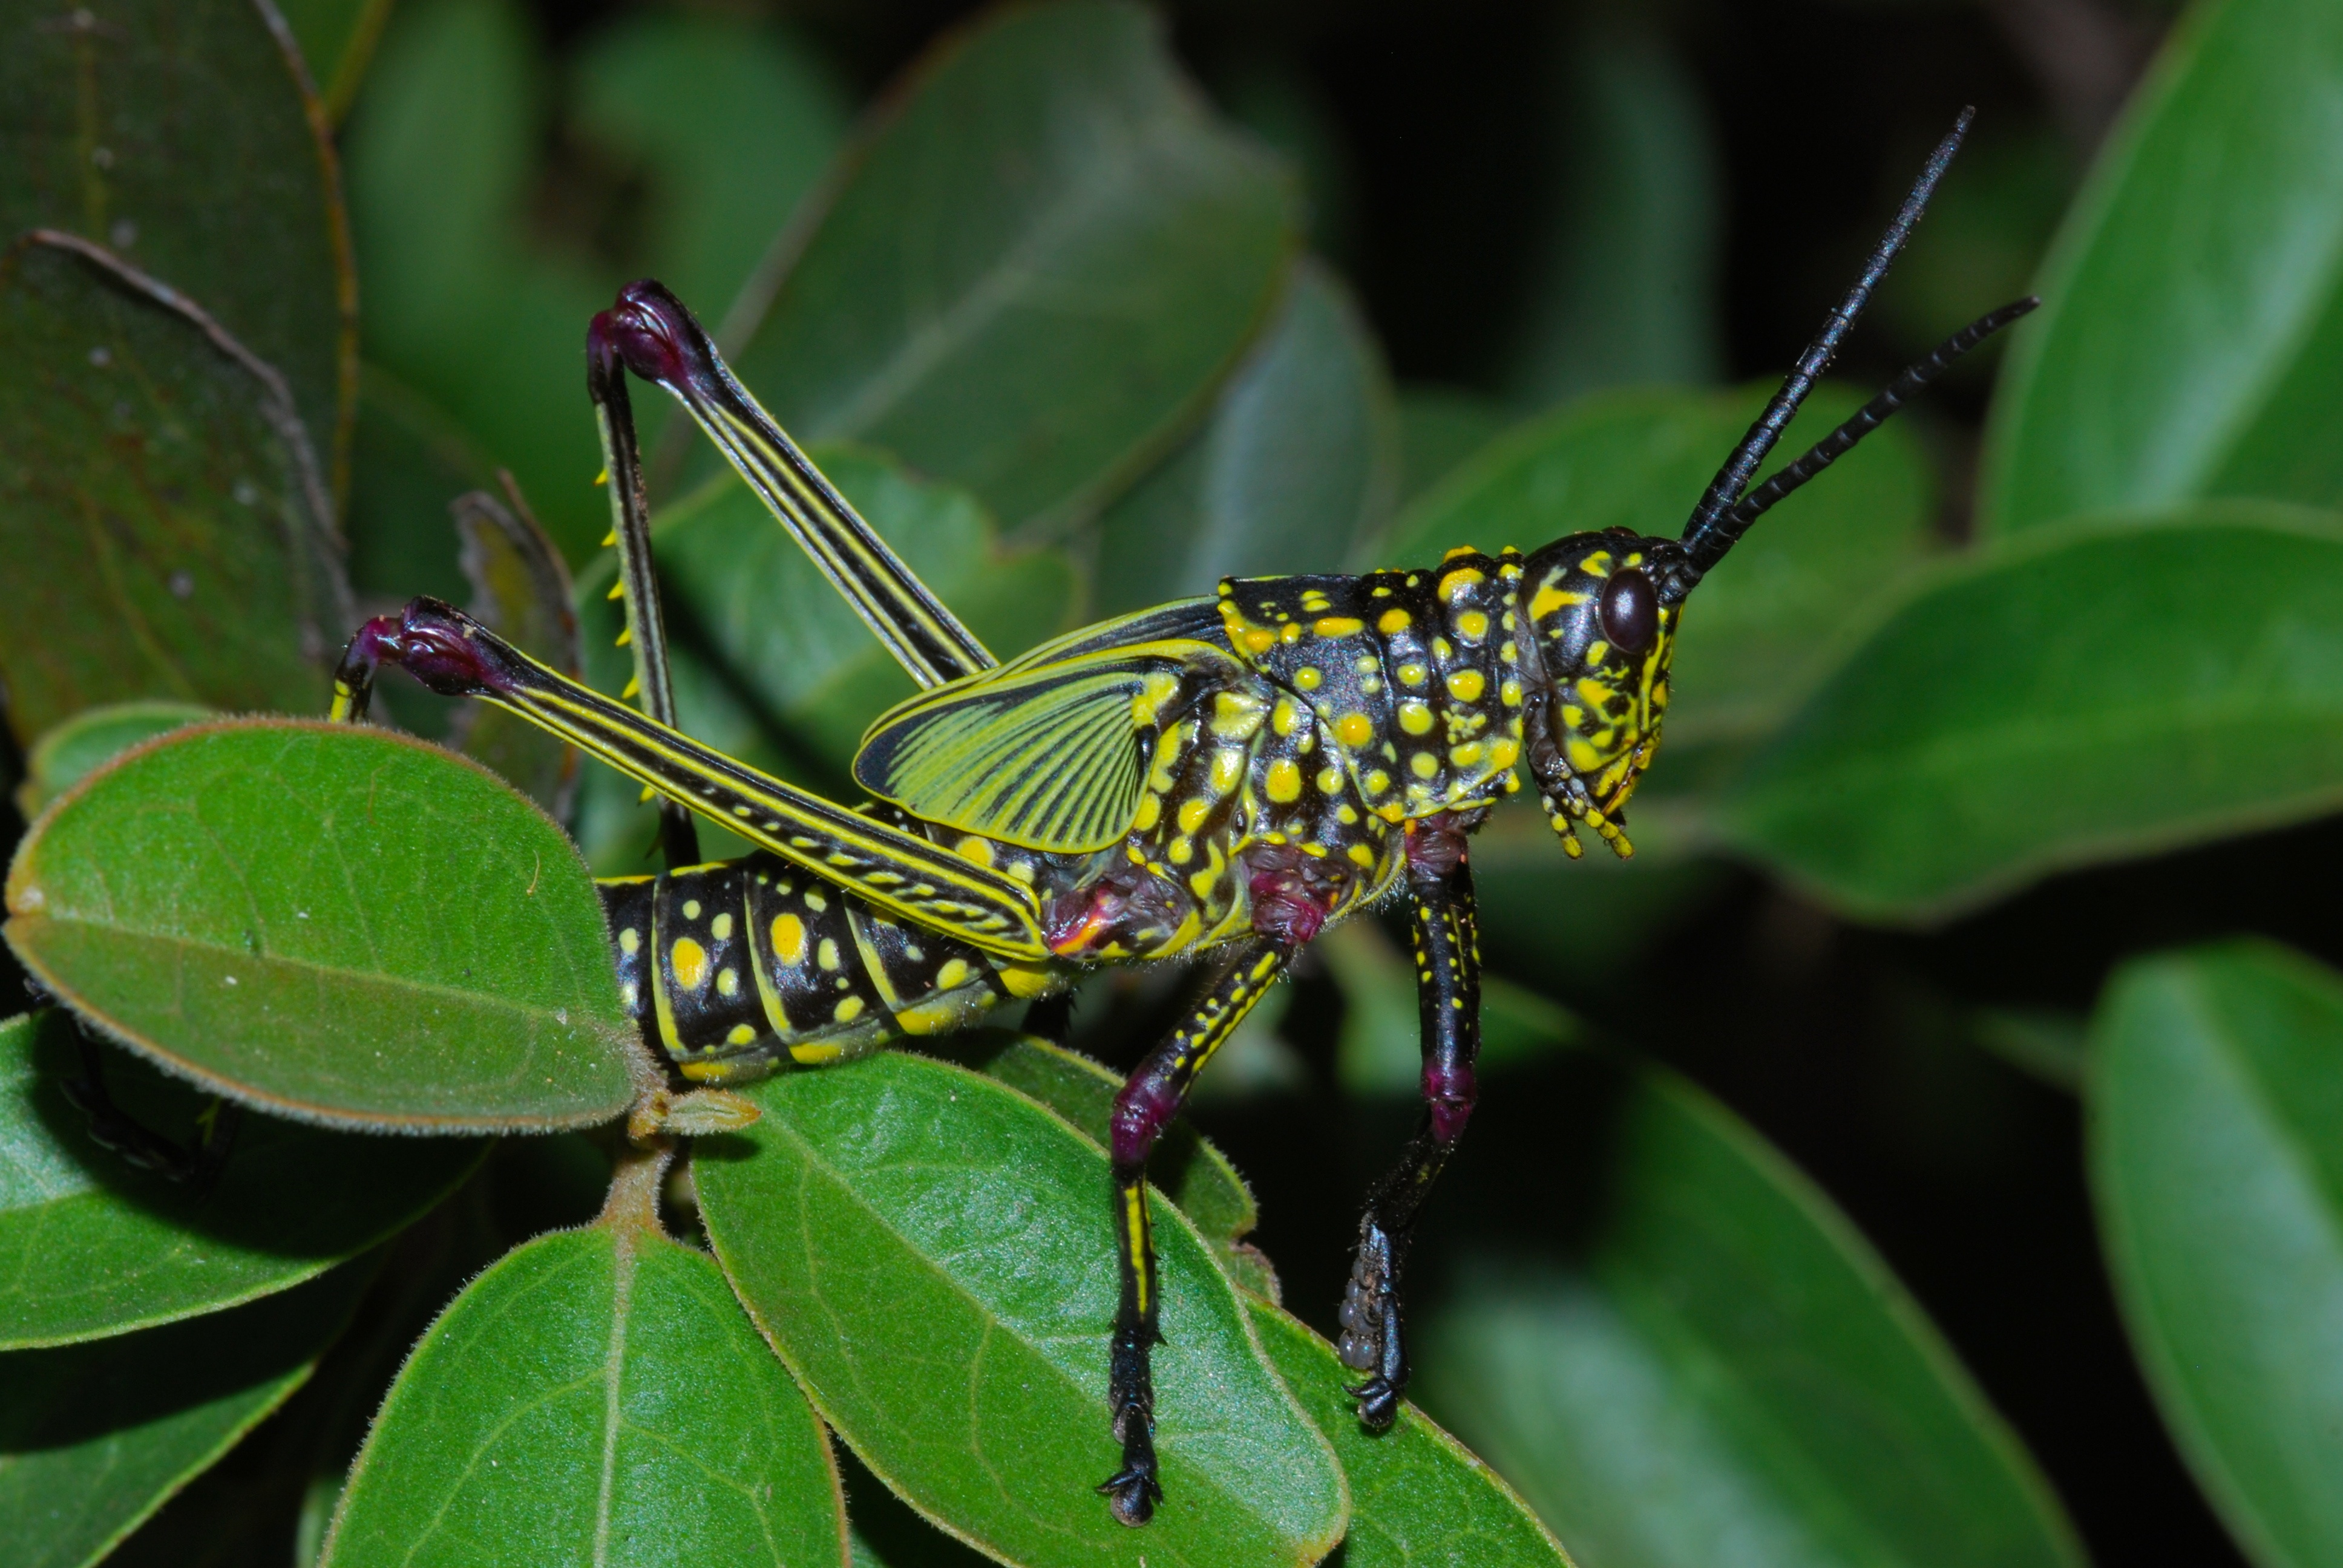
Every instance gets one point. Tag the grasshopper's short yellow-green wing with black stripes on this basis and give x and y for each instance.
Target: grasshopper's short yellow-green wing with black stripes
(1046, 758)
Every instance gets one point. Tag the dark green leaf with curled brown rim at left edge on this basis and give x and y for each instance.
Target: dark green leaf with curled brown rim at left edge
(165, 524)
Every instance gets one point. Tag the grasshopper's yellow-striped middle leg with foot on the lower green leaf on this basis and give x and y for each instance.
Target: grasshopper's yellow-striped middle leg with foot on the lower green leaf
(1147, 1105)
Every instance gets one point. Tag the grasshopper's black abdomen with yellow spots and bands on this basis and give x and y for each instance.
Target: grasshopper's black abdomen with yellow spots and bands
(739, 969)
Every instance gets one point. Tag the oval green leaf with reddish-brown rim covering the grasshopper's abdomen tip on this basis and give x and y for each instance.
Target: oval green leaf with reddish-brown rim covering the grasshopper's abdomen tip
(329, 922)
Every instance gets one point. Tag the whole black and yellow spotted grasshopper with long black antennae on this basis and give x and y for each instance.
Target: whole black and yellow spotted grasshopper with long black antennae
(1210, 782)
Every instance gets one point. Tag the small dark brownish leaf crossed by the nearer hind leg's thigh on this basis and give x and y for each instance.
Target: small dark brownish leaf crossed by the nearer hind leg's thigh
(521, 592)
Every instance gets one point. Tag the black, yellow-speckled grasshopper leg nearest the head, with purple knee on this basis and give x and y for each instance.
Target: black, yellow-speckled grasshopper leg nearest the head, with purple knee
(1449, 1004)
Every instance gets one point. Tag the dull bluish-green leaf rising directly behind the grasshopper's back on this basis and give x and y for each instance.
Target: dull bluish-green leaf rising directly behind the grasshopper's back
(1295, 472)
